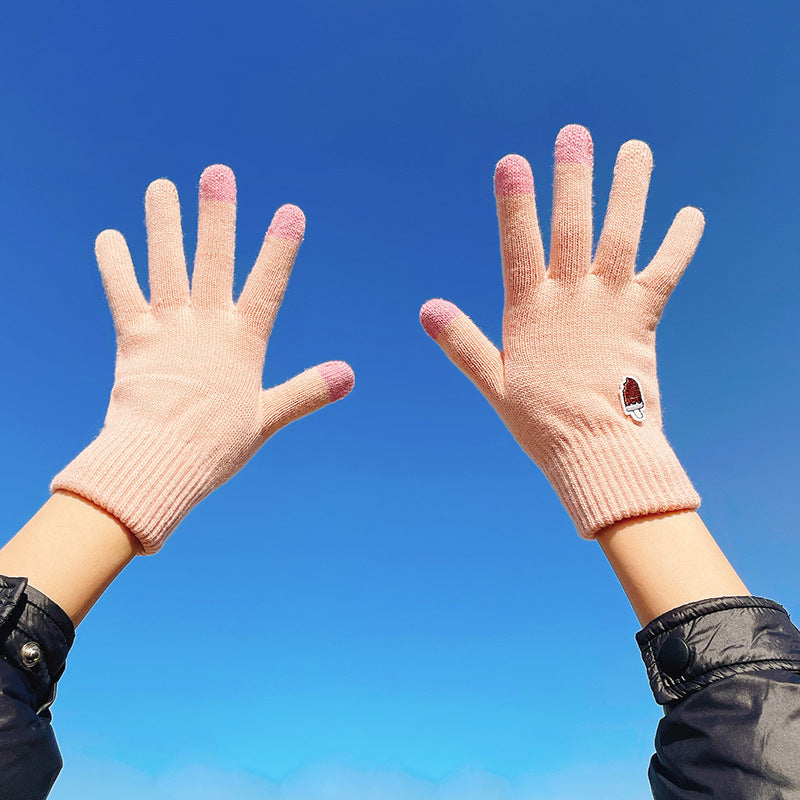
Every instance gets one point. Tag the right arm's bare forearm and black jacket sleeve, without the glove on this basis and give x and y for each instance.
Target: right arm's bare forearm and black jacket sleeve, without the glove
(725, 665)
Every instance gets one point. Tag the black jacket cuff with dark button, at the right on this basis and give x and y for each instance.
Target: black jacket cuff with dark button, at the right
(696, 644)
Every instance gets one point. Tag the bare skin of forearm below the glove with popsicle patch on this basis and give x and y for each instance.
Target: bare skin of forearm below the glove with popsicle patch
(667, 560)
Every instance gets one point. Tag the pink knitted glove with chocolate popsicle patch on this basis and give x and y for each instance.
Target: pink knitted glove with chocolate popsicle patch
(576, 380)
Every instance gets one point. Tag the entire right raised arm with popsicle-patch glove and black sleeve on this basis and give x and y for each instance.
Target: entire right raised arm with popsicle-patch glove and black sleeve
(575, 382)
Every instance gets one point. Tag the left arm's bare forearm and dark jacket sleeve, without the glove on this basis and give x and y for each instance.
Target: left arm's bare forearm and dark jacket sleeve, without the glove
(67, 554)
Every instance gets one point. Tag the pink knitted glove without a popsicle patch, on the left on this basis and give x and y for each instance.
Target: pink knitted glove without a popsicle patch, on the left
(187, 410)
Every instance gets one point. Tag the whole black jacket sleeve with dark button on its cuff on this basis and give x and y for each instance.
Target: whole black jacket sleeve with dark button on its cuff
(727, 671)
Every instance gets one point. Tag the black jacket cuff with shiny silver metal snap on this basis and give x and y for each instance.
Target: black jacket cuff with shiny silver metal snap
(35, 636)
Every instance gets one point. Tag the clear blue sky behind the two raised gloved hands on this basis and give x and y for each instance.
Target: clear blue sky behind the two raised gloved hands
(389, 600)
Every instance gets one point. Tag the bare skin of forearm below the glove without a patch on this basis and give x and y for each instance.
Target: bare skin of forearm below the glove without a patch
(70, 550)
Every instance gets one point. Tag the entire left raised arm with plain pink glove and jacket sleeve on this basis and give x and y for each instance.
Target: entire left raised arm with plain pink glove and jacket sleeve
(186, 412)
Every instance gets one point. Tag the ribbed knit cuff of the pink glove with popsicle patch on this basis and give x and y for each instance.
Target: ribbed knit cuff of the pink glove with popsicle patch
(618, 472)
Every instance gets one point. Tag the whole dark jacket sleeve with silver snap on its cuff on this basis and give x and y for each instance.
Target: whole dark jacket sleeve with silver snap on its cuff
(35, 637)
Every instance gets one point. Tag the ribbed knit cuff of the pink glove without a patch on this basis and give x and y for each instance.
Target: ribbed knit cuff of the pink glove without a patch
(148, 481)
